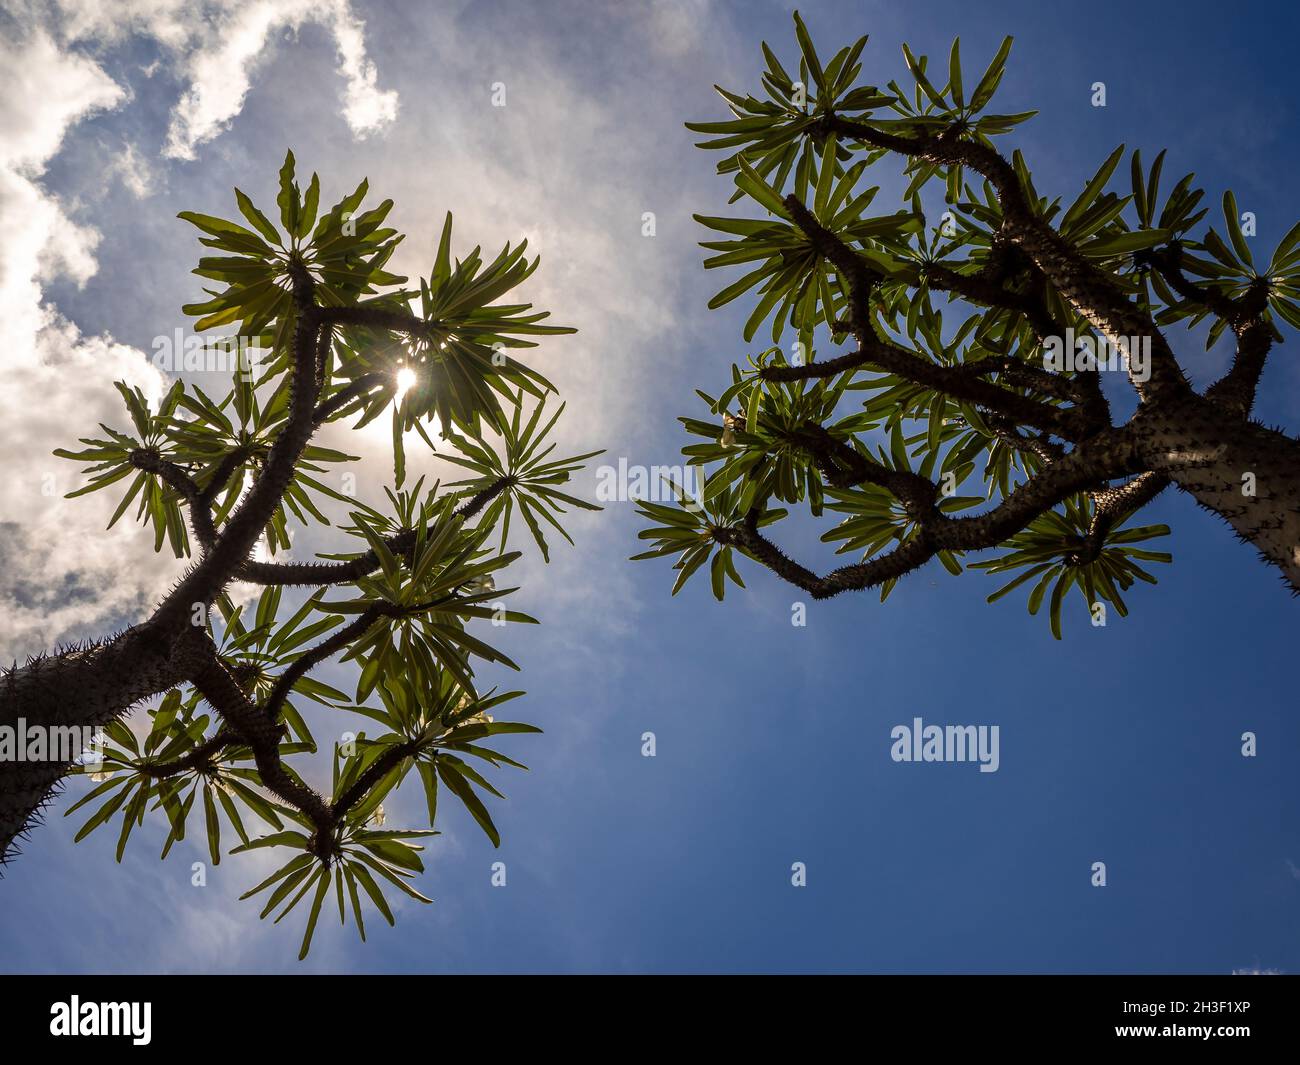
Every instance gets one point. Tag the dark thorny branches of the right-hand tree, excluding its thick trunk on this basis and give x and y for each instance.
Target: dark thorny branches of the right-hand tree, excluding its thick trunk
(1077, 445)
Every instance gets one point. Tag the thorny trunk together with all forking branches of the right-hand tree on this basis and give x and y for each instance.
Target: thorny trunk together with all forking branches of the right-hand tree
(1202, 443)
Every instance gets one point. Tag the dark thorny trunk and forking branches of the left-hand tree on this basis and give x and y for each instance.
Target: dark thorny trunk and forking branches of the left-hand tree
(171, 648)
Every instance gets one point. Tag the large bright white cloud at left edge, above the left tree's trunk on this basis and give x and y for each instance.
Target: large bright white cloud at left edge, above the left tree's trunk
(63, 573)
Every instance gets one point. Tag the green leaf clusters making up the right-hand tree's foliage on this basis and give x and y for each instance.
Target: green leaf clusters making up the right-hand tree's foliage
(798, 140)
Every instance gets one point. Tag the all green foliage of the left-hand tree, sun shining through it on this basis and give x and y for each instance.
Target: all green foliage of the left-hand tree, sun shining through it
(417, 657)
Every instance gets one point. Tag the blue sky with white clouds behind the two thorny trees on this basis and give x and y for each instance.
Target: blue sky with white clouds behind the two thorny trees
(1119, 744)
